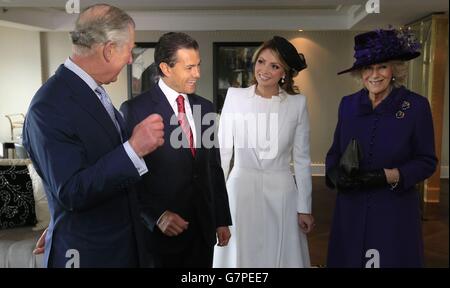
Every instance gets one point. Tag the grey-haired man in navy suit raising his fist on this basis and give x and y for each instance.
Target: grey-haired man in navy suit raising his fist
(78, 144)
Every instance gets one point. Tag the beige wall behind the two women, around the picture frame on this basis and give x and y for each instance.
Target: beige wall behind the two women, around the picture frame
(318, 82)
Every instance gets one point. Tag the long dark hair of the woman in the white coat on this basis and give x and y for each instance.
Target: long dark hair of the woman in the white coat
(288, 84)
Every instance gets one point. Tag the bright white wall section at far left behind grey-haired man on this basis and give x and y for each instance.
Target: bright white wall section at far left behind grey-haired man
(20, 73)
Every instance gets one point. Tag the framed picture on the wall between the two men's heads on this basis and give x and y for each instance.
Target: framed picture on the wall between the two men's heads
(142, 73)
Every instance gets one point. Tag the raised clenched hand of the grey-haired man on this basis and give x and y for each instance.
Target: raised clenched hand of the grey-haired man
(147, 135)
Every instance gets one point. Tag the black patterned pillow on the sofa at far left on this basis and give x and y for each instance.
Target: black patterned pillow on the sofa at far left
(16, 197)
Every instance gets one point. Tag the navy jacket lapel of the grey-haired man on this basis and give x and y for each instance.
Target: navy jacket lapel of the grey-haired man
(89, 101)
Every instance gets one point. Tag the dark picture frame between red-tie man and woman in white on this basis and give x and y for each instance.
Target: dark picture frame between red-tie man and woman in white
(232, 62)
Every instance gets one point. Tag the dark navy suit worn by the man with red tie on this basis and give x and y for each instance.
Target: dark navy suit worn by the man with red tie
(193, 187)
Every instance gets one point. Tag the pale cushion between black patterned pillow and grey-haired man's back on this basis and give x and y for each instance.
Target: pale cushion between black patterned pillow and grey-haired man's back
(41, 204)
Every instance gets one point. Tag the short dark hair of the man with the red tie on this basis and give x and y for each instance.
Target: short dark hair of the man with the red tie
(168, 45)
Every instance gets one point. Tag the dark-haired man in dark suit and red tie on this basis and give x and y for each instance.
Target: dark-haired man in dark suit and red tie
(184, 203)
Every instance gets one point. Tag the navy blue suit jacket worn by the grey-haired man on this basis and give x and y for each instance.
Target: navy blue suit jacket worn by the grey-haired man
(77, 151)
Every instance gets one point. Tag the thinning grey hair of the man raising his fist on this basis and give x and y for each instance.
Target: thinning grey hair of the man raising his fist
(99, 24)
